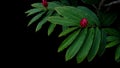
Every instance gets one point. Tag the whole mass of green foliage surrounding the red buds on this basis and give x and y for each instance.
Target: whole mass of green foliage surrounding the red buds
(81, 43)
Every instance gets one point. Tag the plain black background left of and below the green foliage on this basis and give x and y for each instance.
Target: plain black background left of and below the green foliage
(24, 46)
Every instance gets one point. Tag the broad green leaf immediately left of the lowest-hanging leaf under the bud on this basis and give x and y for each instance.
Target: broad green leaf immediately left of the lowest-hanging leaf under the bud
(76, 45)
